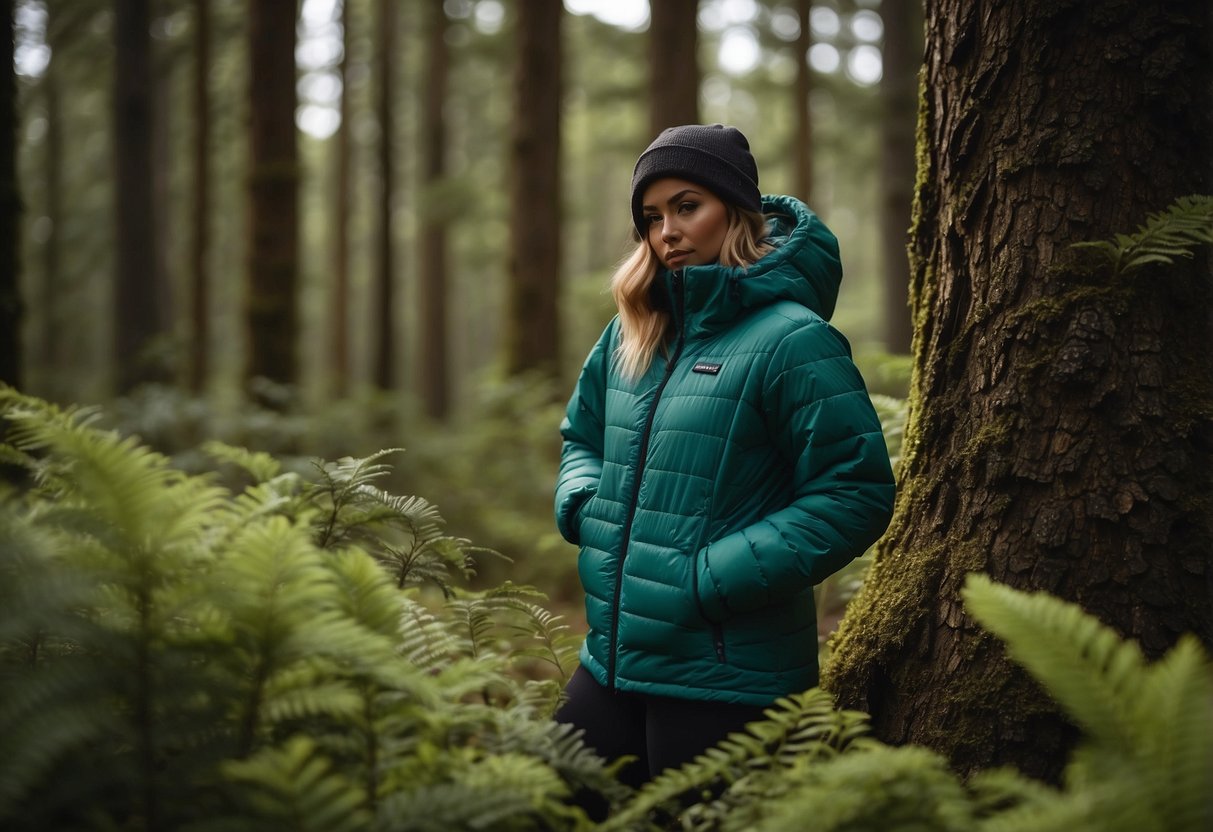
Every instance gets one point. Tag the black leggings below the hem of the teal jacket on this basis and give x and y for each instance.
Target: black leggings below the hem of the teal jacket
(660, 732)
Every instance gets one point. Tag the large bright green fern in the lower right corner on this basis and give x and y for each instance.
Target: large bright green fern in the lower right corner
(1147, 759)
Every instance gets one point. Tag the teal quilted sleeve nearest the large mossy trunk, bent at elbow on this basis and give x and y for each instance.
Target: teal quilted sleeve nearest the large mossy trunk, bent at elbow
(824, 423)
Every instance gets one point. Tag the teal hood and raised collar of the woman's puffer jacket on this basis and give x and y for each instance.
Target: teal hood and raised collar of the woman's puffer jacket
(805, 267)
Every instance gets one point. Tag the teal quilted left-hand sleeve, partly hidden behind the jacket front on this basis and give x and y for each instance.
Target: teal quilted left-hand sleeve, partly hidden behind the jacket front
(582, 455)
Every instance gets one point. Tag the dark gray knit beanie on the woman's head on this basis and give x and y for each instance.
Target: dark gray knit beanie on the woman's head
(714, 156)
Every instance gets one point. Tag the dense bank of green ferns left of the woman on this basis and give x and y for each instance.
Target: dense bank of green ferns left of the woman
(175, 656)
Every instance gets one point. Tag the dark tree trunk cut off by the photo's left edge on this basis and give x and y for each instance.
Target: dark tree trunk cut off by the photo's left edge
(10, 212)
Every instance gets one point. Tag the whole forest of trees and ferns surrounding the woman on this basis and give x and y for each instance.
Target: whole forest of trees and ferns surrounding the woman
(293, 297)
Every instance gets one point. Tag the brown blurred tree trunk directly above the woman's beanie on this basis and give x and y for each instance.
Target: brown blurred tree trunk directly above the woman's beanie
(674, 64)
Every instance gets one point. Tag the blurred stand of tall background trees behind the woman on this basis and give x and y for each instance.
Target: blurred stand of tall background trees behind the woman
(390, 162)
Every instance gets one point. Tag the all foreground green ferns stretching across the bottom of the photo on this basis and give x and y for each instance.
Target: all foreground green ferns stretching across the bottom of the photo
(178, 656)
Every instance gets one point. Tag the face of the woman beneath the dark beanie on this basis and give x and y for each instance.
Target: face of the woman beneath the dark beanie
(686, 223)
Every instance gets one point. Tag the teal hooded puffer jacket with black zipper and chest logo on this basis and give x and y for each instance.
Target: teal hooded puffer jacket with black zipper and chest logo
(710, 495)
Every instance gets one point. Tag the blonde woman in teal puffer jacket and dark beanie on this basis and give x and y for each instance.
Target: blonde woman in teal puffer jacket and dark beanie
(721, 458)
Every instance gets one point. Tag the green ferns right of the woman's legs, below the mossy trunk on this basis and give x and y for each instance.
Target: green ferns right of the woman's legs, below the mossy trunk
(1147, 761)
